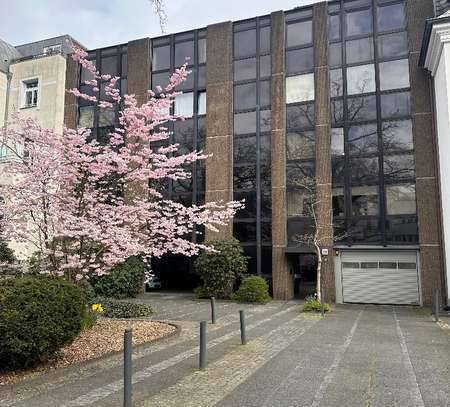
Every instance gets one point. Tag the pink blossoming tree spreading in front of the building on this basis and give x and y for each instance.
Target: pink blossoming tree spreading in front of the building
(86, 204)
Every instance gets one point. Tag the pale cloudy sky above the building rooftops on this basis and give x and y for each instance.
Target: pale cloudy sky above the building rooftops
(98, 23)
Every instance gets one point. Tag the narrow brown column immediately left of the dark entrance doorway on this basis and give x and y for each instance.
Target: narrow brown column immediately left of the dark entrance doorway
(283, 279)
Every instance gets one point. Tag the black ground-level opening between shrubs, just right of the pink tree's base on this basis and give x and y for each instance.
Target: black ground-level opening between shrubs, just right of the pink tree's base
(176, 273)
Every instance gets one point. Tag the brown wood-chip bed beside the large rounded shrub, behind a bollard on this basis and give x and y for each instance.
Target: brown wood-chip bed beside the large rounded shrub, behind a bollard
(105, 337)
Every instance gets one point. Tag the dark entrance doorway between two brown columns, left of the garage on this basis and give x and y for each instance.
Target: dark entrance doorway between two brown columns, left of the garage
(305, 274)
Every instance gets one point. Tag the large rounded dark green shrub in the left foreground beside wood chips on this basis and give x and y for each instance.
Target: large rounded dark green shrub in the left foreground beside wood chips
(38, 315)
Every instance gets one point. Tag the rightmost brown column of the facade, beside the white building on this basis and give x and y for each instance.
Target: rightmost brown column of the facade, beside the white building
(427, 190)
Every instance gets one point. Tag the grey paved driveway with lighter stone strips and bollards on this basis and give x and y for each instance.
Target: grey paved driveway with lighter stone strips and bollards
(356, 356)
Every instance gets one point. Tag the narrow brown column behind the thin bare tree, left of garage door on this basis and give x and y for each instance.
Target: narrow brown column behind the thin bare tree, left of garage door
(323, 145)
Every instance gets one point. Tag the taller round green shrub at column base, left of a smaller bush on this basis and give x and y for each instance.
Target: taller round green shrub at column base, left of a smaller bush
(221, 270)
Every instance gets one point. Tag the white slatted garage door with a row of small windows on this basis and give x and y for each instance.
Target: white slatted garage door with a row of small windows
(380, 277)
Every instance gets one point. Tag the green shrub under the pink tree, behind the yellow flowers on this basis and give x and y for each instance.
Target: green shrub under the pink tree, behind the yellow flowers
(123, 281)
